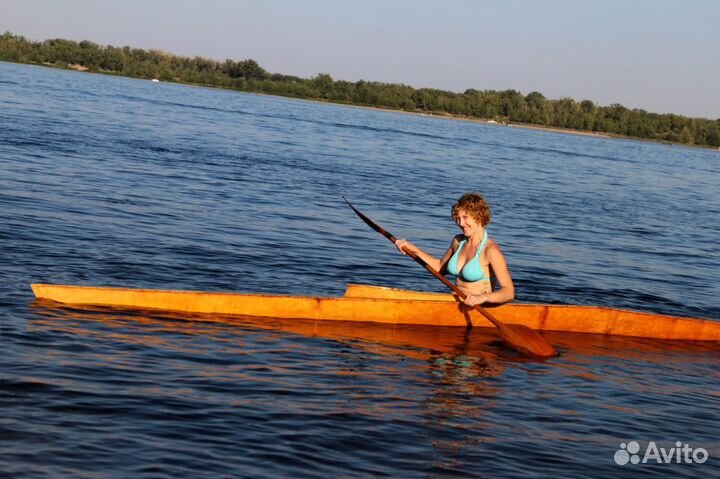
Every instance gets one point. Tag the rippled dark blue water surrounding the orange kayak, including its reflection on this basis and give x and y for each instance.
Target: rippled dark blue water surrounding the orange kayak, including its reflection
(114, 181)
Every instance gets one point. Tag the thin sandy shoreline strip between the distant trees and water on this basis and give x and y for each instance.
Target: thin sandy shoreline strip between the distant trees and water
(446, 116)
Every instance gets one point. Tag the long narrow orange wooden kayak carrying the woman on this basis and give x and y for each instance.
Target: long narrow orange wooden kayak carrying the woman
(363, 303)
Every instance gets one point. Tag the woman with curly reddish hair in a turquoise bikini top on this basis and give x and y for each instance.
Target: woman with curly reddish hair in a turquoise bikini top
(472, 257)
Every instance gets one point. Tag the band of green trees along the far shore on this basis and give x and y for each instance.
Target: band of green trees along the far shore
(246, 75)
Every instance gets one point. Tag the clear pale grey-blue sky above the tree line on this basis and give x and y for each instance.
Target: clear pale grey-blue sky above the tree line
(662, 56)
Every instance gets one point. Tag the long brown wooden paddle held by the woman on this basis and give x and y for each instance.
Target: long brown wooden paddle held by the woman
(517, 336)
